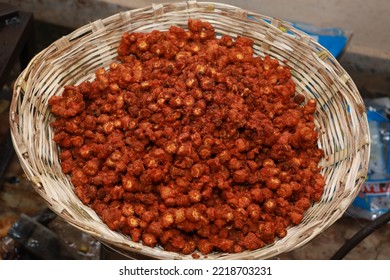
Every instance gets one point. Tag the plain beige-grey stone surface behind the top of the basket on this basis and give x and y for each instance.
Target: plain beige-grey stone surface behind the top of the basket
(368, 21)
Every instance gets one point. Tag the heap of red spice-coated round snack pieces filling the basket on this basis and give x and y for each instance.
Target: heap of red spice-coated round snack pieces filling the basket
(191, 142)
